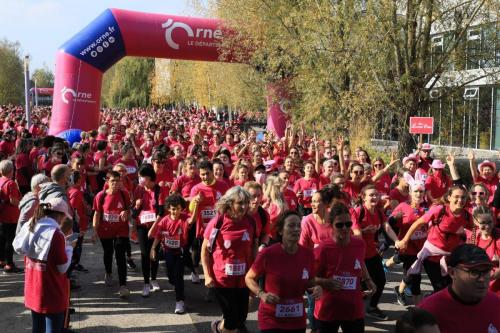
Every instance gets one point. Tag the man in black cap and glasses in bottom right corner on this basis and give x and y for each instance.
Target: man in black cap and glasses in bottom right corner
(466, 305)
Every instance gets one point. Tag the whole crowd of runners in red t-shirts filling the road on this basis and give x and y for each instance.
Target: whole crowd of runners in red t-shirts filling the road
(302, 223)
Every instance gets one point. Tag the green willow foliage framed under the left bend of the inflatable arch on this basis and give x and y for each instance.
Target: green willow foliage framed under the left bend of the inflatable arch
(128, 83)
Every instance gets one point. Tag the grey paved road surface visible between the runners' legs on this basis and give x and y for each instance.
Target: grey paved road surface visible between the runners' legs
(100, 310)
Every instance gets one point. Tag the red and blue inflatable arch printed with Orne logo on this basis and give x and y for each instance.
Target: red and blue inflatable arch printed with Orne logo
(116, 33)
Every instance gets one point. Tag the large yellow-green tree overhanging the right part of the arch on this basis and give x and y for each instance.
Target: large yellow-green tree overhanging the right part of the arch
(350, 62)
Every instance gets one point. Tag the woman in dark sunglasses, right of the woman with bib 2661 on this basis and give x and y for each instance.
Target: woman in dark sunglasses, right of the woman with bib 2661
(340, 269)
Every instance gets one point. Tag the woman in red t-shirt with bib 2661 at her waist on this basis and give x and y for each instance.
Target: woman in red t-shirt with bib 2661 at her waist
(288, 271)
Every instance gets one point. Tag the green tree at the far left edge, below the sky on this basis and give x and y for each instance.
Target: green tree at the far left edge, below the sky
(11, 73)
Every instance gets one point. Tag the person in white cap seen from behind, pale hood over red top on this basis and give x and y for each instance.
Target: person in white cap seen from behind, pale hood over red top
(47, 258)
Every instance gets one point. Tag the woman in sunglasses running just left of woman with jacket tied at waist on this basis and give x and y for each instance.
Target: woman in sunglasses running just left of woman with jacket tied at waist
(405, 214)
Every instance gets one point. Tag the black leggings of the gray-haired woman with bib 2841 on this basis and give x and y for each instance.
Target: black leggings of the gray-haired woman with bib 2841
(234, 305)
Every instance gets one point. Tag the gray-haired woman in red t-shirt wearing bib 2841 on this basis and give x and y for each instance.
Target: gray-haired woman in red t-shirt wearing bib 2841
(226, 253)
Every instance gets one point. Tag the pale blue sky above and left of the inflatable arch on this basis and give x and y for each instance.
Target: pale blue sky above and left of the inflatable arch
(42, 26)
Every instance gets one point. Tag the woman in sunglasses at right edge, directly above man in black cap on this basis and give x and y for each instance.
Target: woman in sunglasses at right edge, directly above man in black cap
(486, 236)
